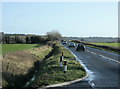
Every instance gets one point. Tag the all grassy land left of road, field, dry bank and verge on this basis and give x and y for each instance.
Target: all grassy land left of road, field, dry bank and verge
(18, 67)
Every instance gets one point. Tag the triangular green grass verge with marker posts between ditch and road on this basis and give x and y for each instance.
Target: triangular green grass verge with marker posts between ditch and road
(51, 73)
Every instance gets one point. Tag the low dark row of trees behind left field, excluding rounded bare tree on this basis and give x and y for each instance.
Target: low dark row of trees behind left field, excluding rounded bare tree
(8, 39)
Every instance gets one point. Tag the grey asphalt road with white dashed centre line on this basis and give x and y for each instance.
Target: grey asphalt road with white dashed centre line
(101, 66)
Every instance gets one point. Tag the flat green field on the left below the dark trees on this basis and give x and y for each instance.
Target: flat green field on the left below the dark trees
(6, 48)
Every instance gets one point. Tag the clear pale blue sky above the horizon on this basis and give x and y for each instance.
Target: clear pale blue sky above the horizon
(78, 19)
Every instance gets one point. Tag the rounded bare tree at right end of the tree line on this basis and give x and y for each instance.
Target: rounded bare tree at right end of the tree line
(53, 35)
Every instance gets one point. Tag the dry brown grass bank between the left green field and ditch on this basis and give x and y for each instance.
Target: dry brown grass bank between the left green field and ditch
(19, 66)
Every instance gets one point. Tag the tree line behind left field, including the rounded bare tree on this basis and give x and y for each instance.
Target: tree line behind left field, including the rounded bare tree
(30, 39)
